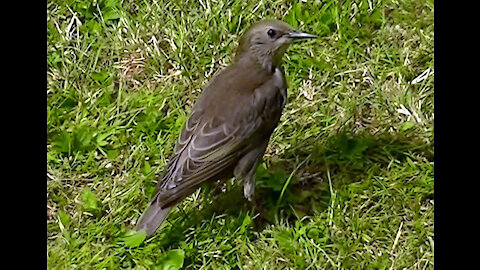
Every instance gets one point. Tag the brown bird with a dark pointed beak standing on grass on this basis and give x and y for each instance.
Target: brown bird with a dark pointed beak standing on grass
(230, 125)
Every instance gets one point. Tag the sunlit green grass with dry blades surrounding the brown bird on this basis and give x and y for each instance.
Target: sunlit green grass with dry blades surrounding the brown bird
(355, 144)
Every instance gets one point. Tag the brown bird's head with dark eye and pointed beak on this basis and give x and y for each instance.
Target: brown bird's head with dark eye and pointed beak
(266, 41)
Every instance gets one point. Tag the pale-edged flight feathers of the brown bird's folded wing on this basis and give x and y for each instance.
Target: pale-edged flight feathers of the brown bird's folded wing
(206, 147)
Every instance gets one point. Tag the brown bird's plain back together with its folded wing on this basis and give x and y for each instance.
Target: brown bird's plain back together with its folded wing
(222, 128)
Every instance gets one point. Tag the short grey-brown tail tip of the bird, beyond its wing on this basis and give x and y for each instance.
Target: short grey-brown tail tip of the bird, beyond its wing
(152, 218)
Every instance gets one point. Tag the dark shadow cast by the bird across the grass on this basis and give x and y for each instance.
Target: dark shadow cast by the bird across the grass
(343, 157)
